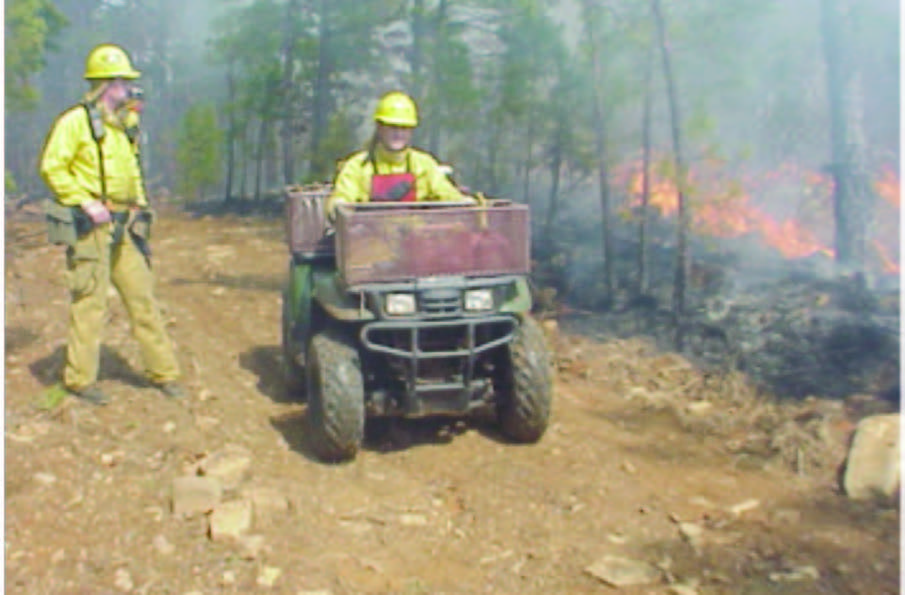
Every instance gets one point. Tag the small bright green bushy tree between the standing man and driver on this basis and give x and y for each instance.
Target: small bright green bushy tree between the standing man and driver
(198, 151)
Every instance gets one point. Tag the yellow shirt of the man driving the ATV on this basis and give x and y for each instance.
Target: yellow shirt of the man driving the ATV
(353, 184)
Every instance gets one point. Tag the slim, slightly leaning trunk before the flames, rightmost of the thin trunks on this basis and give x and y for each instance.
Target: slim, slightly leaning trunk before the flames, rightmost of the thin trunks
(675, 120)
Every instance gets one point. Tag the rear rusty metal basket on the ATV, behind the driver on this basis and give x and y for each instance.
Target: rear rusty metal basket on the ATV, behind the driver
(306, 221)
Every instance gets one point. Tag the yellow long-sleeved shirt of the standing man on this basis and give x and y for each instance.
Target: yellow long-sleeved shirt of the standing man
(70, 162)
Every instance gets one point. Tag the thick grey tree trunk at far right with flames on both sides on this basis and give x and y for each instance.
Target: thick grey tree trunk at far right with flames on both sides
(852, 196)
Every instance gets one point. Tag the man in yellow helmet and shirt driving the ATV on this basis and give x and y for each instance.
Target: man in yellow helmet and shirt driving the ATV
(390, 169)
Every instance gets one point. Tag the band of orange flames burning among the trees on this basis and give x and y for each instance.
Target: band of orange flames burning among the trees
(787, 210)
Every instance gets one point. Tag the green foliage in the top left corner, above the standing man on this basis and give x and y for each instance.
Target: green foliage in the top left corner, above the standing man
(30, 26)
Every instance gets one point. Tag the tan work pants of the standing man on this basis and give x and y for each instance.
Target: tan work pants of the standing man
(91, 267)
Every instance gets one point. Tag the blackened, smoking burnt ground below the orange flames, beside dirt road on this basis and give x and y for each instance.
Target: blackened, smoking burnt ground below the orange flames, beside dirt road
(792, 333)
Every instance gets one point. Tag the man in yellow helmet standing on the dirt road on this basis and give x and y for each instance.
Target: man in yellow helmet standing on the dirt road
(101, 214)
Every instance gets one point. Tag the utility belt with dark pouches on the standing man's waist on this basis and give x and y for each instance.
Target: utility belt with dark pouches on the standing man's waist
(65, 225)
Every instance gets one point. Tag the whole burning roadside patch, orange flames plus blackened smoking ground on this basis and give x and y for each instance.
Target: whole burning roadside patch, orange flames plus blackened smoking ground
(764, 297)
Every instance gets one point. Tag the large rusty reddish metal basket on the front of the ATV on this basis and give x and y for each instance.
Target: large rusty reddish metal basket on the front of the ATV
(381, 243)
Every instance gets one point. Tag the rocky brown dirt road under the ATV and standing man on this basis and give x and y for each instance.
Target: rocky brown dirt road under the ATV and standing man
(647, 460)
